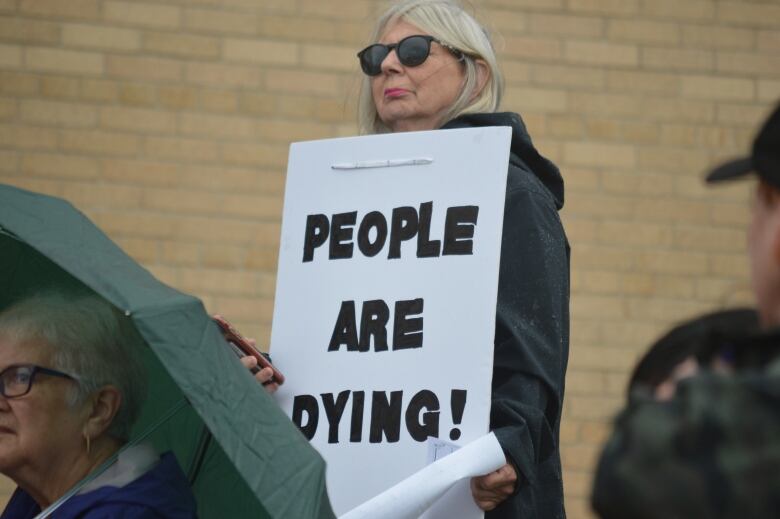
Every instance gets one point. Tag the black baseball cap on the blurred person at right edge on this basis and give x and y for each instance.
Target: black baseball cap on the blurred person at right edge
(764, 161)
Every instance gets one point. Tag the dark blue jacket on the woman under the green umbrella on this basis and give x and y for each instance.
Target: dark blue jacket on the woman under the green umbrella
(163, 492)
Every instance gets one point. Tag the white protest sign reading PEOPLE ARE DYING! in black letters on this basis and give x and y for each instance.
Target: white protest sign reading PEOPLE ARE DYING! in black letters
(385, 306)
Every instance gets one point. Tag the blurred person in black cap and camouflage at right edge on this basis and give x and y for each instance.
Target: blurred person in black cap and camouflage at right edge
(713, 448)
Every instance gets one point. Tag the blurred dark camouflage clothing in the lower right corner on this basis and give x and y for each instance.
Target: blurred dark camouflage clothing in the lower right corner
(713, 451)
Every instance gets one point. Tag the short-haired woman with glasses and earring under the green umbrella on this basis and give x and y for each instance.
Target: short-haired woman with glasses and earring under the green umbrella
(71, 388)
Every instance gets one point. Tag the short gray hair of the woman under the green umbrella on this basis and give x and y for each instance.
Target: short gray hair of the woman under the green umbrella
(90, 340)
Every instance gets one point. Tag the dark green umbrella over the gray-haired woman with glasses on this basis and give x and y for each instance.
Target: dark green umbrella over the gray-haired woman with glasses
(243, 456)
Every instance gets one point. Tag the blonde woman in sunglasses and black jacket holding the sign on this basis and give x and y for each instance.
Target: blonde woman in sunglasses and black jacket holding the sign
(430, 65)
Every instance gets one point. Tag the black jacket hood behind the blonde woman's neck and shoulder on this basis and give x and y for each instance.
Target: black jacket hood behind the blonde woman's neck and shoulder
(523, 153)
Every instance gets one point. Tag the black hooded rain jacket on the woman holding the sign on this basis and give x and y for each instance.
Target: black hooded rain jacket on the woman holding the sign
(532, 325)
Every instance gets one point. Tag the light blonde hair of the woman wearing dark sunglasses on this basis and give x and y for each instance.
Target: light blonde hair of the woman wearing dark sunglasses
(445, 20)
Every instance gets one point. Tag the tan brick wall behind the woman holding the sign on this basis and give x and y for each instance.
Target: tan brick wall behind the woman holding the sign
(168, 122)
